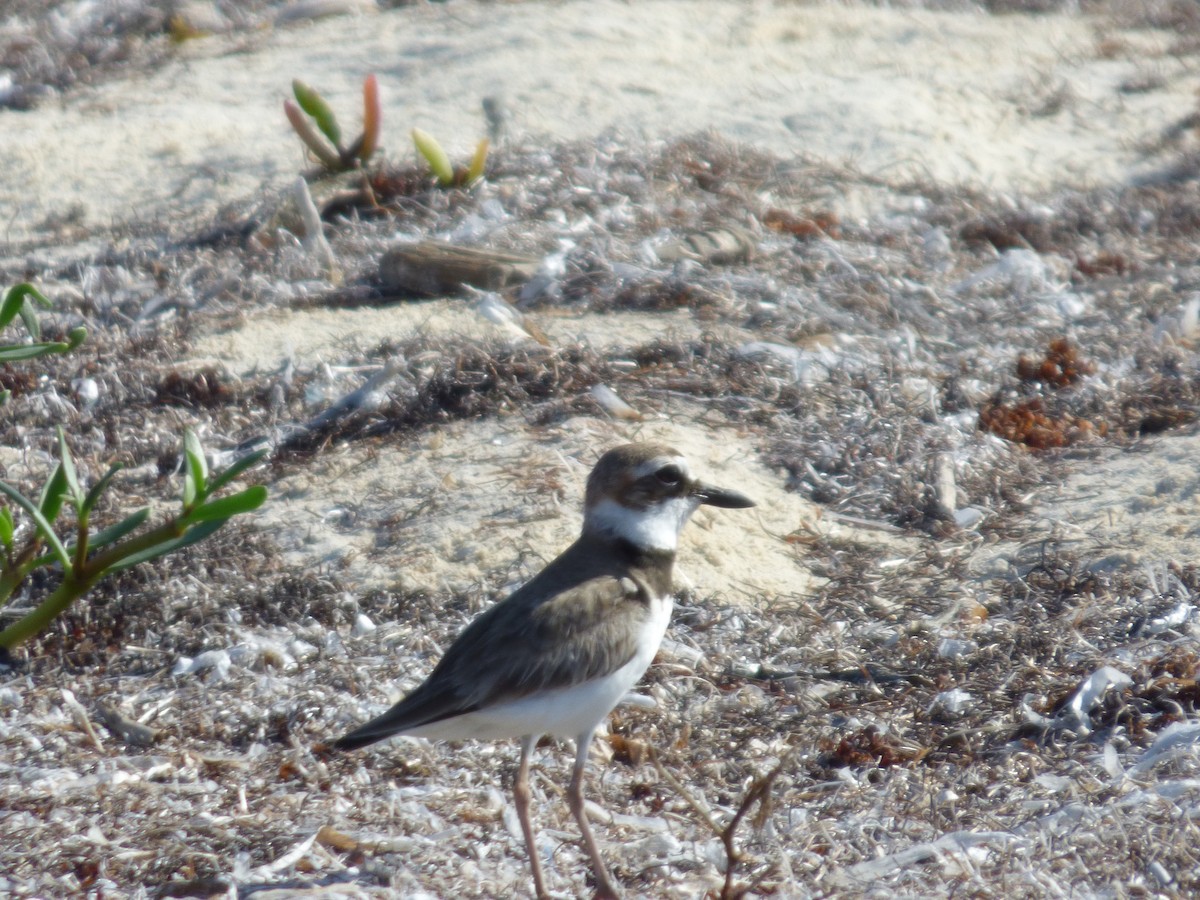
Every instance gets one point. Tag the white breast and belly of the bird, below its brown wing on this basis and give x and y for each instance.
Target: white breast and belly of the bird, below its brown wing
(566, 712)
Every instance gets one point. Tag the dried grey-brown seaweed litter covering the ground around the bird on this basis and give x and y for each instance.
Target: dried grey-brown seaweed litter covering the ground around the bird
(910, 719)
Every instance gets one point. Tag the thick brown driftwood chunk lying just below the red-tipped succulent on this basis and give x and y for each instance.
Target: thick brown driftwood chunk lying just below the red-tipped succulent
(433, 268)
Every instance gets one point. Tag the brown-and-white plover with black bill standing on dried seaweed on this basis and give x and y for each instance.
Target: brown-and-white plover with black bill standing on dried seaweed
(560, 653)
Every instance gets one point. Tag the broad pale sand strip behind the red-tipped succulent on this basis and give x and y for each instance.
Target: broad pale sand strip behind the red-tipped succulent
(1011, 103)
